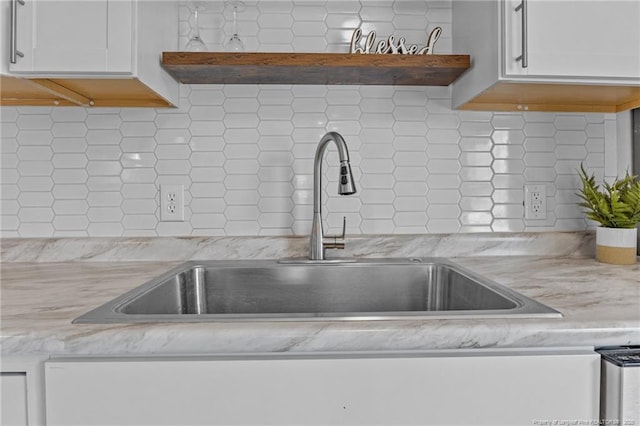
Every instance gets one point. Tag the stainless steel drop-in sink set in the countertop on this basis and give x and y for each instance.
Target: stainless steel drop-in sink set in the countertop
(368, 289)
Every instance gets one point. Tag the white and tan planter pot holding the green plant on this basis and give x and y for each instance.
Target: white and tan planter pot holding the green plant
(616, 245)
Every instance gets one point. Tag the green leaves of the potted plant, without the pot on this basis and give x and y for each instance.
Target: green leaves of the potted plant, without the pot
(614, 206)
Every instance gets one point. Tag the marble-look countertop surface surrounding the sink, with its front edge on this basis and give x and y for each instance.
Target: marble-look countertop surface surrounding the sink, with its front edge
(600, 304)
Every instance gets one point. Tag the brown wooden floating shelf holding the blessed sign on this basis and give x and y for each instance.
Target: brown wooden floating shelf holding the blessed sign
(314, 68)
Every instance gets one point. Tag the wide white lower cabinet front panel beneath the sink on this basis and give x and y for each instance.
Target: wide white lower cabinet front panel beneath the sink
(462, 387)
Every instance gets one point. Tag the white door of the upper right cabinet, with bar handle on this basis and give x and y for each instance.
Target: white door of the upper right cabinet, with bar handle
(593, 39)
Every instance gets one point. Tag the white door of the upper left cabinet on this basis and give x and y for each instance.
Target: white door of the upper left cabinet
(74, 37)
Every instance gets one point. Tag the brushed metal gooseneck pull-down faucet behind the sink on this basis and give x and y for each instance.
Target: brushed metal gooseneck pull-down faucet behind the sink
(345, 187)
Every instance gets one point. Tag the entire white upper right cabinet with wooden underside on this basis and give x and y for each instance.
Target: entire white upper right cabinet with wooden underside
(548, 55)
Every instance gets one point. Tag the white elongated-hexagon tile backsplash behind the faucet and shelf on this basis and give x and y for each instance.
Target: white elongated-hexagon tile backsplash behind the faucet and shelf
(245, 153)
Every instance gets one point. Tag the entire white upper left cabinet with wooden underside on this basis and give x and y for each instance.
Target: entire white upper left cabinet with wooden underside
(103, 53)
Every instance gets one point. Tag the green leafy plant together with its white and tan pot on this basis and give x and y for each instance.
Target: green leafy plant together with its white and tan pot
(616, 207)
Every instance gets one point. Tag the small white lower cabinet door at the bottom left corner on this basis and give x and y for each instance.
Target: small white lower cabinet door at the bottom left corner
(13, 406)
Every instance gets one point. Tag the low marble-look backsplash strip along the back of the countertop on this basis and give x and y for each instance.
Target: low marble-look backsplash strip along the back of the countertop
(107, 249)
